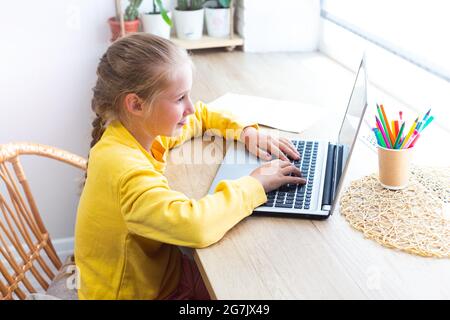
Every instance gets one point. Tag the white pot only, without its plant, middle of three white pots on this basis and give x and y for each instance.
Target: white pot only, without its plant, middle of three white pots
(189, 24)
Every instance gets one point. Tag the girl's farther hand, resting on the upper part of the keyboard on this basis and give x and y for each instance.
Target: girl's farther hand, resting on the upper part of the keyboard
(264, 146)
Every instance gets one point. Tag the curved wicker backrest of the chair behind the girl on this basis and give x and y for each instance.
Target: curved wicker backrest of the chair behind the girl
(28, 260)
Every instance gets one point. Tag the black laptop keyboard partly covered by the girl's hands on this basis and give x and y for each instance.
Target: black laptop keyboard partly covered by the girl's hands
(297, 196)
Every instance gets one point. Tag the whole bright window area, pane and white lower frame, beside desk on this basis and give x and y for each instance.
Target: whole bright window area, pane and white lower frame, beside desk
(406, 43)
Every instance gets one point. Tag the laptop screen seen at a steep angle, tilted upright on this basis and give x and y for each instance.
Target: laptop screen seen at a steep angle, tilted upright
(355, 108)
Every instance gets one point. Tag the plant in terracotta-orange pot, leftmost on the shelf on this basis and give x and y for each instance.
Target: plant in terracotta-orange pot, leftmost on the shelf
(131, 21)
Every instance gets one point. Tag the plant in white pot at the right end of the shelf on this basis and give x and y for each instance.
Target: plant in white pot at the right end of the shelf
(217, 14)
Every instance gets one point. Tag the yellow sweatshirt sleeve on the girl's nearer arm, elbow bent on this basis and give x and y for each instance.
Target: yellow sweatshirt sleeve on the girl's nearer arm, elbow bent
(152, 210)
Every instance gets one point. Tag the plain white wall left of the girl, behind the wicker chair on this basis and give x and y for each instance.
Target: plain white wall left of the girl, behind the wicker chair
(48, 57)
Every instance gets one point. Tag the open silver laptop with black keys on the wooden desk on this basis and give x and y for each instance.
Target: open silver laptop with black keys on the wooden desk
(322, 163)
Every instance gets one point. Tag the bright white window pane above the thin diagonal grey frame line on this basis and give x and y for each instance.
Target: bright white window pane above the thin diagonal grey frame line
(417, 29)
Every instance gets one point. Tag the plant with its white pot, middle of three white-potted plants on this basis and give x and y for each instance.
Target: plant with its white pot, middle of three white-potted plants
(189, 19)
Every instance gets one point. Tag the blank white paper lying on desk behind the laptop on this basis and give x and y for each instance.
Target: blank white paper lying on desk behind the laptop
(283, 115)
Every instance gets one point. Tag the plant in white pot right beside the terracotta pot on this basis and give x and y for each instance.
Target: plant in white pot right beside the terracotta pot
(157, 21)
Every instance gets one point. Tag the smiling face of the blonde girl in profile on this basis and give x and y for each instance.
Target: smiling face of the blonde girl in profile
(172, 108)
